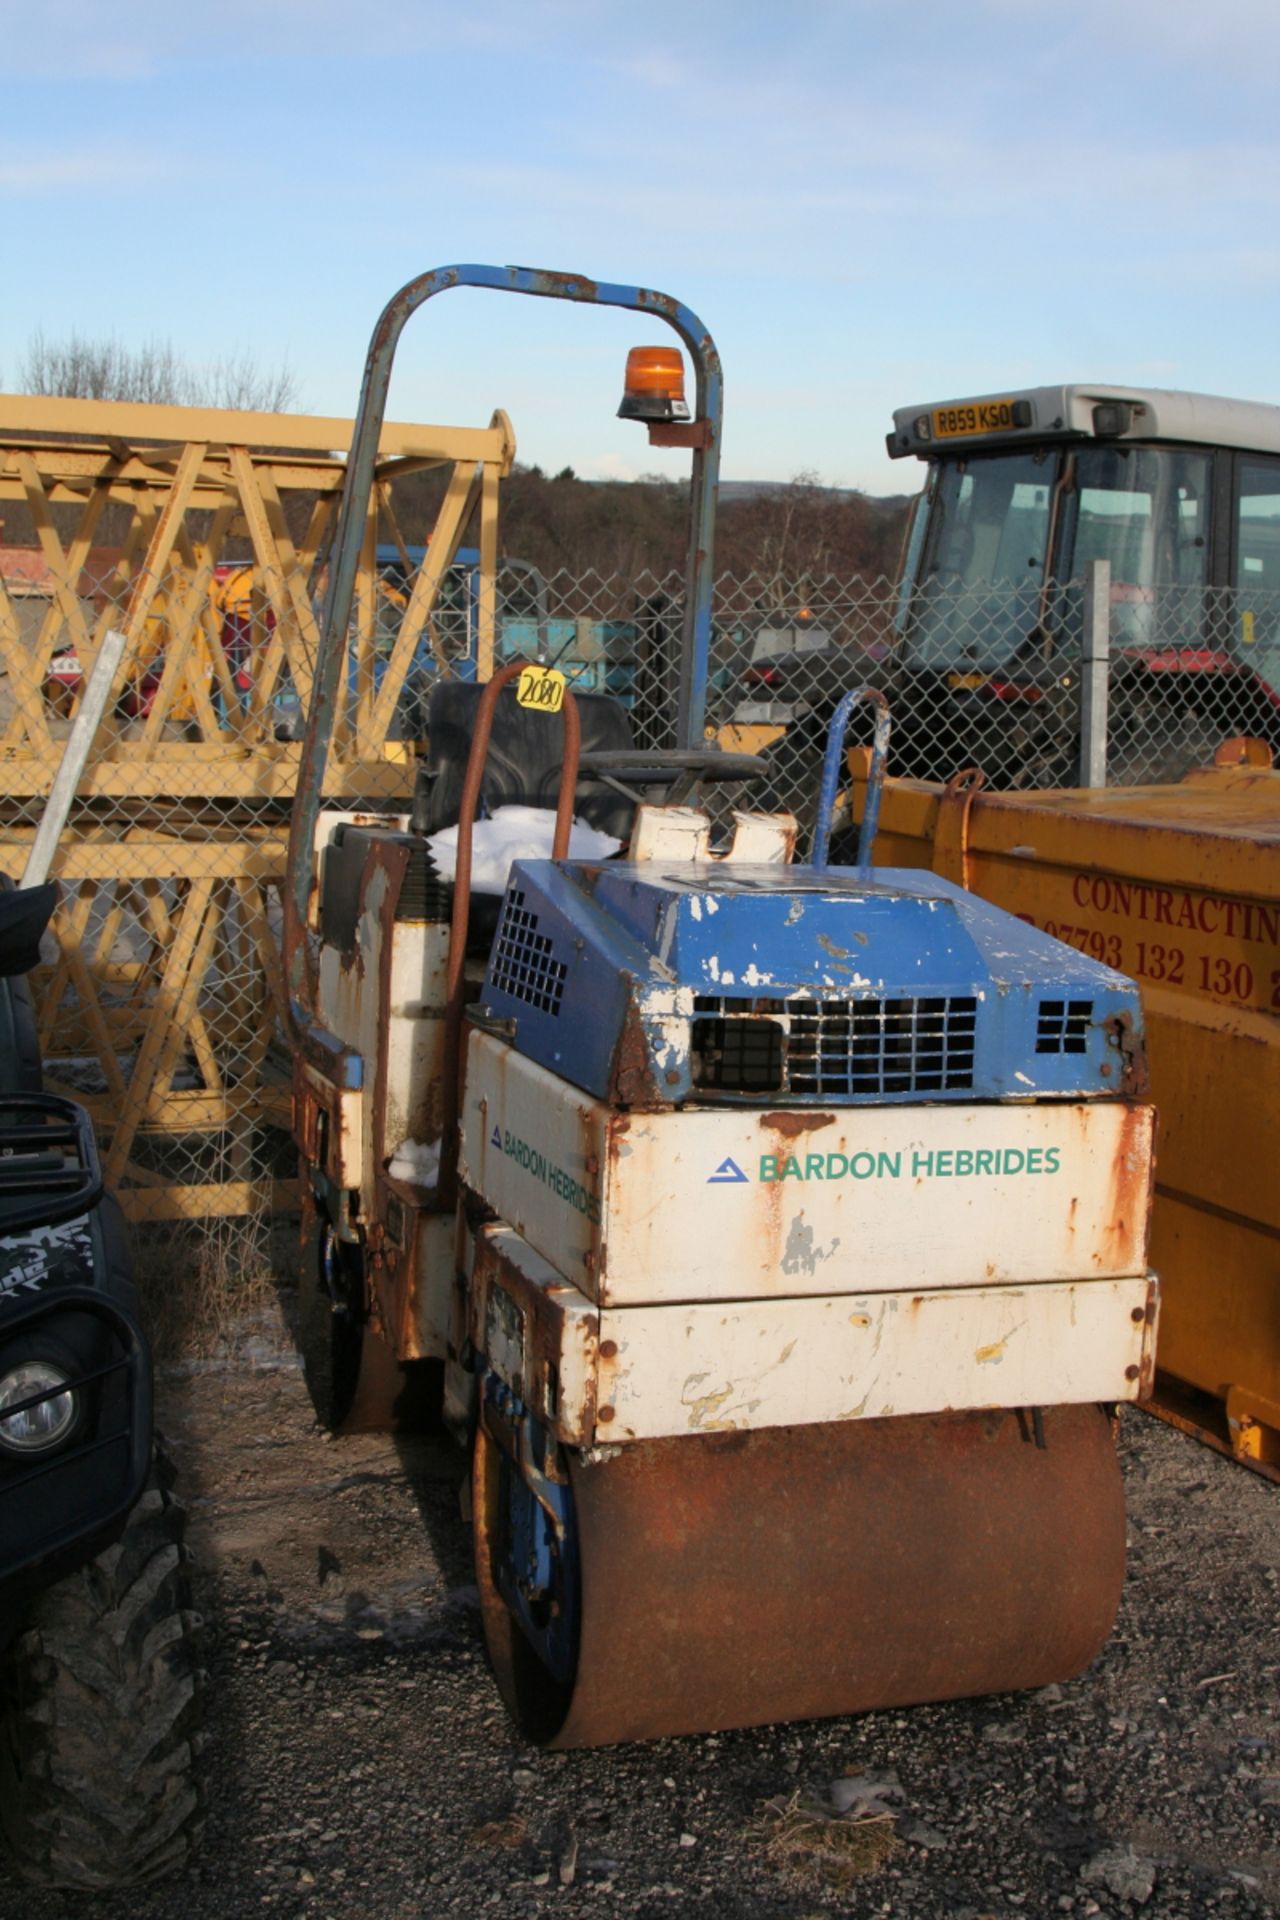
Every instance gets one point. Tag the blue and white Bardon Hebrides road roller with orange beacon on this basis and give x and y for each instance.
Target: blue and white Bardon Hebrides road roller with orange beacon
(770, 1232)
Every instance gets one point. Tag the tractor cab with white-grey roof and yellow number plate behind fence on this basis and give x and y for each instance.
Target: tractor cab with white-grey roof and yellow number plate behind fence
(1179, 494)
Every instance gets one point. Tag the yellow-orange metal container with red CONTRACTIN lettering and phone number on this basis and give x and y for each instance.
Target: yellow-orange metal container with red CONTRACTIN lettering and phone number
(1181, 888)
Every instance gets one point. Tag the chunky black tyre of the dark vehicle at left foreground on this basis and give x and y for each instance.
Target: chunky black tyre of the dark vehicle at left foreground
(103, 1708)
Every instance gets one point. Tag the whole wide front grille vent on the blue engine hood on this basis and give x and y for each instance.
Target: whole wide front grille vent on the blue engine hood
(853, 1049)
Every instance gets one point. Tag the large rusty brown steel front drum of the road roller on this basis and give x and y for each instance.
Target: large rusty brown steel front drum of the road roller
(738, 1579)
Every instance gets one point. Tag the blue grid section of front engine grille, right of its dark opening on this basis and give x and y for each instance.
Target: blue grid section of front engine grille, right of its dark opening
(882, 1047)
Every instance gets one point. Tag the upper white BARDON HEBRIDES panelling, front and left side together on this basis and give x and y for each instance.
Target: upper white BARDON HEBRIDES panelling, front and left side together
(726, 1205)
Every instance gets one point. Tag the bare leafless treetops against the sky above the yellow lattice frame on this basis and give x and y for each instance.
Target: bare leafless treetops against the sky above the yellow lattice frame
(107, 370)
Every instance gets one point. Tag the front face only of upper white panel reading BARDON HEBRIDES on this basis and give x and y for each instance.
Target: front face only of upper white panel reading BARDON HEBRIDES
(711, 1207)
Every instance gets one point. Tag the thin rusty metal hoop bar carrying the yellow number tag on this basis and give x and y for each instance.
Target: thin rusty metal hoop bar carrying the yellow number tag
(456, 990)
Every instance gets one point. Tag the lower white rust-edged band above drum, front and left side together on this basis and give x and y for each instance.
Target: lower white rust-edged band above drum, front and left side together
(646, 1374)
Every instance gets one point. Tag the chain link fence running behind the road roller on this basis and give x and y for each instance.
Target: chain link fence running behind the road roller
(164, 1007)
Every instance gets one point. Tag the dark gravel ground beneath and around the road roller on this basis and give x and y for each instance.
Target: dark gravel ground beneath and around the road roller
(362, 1767)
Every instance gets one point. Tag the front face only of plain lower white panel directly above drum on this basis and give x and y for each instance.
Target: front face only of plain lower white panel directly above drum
(863, 1356)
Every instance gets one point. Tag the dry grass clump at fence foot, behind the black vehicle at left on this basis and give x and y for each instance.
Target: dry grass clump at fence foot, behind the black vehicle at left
(202, 1282)
